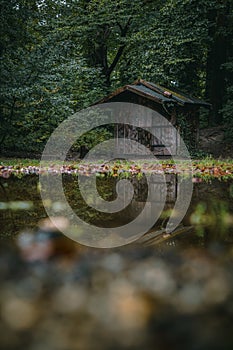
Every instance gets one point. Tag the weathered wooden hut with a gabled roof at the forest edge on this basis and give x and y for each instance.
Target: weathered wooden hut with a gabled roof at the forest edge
(178, 108)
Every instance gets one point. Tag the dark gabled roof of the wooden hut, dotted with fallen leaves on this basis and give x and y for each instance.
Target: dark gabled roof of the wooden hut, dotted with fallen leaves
(158, 94)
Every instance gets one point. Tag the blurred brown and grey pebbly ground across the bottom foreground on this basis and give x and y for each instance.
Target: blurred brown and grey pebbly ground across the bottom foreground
(125, 298)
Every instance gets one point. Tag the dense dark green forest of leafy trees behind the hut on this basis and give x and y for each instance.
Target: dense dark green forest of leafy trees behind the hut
(60, 56)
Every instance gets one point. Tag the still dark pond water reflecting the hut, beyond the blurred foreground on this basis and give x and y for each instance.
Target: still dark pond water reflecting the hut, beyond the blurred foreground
(209, 217)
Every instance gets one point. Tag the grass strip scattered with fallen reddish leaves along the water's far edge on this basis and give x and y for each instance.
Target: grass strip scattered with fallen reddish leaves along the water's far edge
(206, 169)
